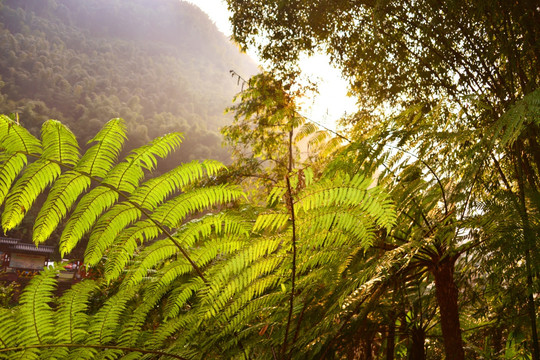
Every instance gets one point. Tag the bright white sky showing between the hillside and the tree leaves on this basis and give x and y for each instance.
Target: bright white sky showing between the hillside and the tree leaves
(332, 101)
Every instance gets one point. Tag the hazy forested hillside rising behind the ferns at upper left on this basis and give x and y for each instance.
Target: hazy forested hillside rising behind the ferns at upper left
(161, 65)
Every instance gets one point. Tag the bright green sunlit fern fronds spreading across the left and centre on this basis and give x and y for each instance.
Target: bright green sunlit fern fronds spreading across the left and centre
(215, 278)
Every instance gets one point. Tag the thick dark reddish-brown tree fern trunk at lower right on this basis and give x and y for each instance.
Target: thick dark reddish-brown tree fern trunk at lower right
(447, 299)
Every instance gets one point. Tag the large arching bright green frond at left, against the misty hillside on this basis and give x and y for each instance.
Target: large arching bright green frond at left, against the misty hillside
(113, 182)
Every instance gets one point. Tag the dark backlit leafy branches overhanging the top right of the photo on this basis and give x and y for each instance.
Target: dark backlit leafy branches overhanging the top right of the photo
(401, 53)
